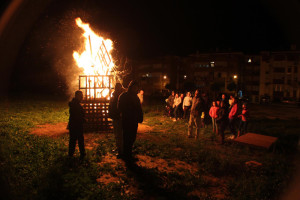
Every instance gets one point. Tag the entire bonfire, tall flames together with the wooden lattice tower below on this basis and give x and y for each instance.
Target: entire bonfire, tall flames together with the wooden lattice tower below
(98, 78)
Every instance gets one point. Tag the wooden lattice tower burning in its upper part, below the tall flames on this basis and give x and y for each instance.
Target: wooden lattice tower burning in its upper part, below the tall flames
(95, 103)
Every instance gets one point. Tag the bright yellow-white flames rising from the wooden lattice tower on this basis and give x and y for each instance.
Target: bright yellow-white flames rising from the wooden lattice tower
(95, 59)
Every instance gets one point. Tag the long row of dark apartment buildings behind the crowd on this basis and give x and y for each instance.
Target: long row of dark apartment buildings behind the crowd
(273, 74)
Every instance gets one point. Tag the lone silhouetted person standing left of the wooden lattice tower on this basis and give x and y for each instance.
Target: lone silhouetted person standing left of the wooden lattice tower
(75, 125)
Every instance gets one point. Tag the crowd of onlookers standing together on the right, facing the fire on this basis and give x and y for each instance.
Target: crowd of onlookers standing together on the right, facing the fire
(200, 111)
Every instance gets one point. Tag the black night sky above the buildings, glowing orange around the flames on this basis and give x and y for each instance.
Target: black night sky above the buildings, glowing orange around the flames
(148, 29)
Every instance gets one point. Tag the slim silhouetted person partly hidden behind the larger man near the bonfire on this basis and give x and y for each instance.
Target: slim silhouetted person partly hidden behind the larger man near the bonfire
(114, 114)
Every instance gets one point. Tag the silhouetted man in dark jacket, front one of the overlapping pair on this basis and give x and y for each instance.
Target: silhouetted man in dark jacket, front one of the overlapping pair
(131, 113)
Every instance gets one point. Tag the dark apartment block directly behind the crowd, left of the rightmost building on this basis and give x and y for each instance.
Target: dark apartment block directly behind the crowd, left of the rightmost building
(215, 71)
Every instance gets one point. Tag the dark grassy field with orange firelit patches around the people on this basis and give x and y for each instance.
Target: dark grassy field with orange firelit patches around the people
(171, 166)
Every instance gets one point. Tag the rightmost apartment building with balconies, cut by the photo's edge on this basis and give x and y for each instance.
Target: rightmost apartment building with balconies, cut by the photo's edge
(279, 75)
